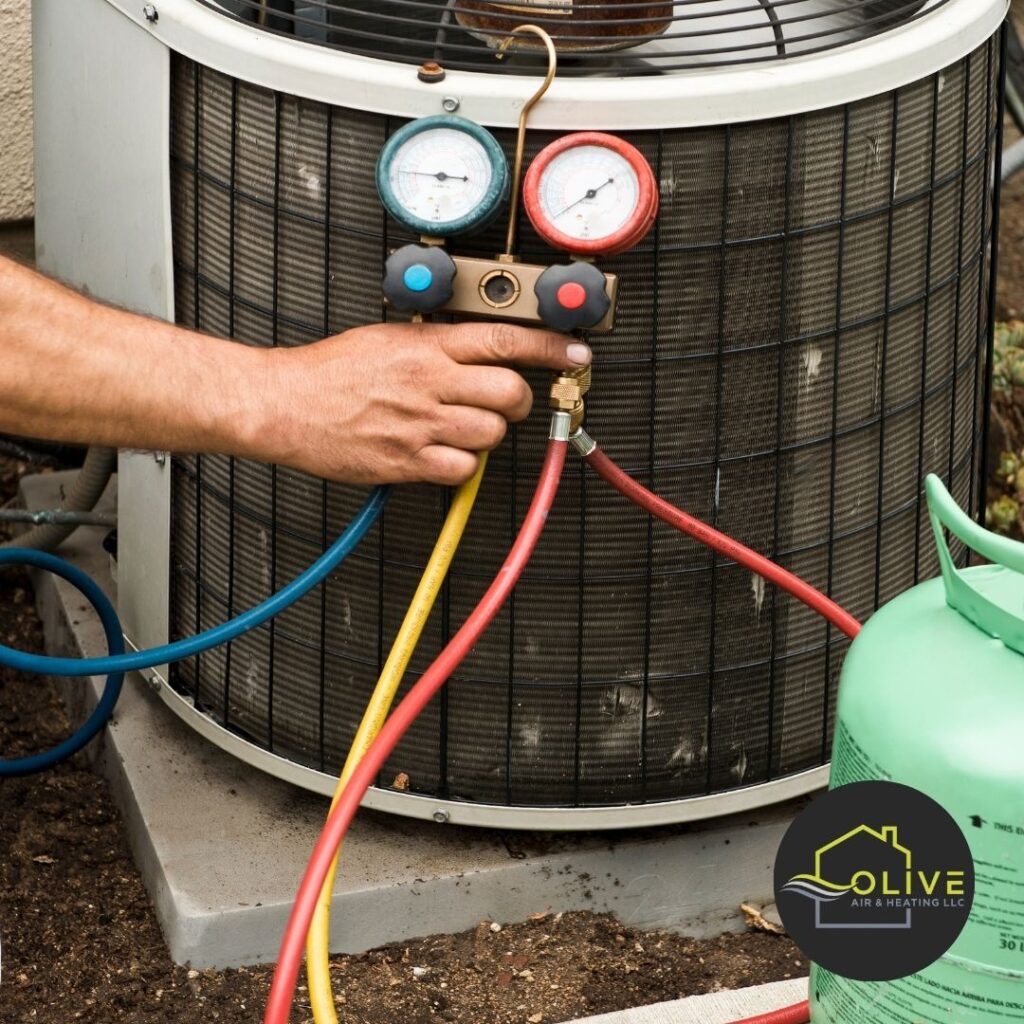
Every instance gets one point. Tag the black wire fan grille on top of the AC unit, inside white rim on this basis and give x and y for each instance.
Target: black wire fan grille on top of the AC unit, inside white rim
(598, 37)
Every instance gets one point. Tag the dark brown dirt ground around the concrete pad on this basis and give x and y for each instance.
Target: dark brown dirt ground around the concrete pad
(81, 944)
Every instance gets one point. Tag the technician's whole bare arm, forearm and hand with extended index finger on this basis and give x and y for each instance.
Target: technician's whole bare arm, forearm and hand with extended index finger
(379, 404)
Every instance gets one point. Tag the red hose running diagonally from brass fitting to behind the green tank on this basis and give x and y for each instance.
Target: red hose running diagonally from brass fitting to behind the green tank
(710, 537)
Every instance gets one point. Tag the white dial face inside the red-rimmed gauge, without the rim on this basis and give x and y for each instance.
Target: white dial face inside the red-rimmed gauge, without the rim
(589, 193)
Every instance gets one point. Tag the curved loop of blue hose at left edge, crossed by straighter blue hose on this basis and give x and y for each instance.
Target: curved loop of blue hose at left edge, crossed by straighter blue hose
(115, 645)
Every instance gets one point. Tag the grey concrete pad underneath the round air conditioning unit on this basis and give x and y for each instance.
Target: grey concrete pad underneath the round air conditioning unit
(222, 847)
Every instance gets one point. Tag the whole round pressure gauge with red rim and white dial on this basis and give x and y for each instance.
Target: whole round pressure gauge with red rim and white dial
(591, 195)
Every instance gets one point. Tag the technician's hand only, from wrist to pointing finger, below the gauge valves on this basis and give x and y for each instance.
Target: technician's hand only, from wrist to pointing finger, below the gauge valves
(396, 403)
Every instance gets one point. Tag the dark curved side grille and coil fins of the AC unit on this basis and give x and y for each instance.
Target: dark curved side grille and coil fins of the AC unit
(802, 337)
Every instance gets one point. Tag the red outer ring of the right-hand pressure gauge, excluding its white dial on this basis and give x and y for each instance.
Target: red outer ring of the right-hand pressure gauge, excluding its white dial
(635, 228)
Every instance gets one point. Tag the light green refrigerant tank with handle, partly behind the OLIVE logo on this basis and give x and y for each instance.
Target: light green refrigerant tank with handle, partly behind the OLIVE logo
(932, 696)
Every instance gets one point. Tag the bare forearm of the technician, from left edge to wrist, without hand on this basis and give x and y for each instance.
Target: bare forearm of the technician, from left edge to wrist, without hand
(73, 370)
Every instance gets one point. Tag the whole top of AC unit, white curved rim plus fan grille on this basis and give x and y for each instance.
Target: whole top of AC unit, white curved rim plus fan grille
(623, 64)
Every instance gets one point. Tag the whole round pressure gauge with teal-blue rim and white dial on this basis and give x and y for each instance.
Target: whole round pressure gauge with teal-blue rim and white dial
(443, 177)
